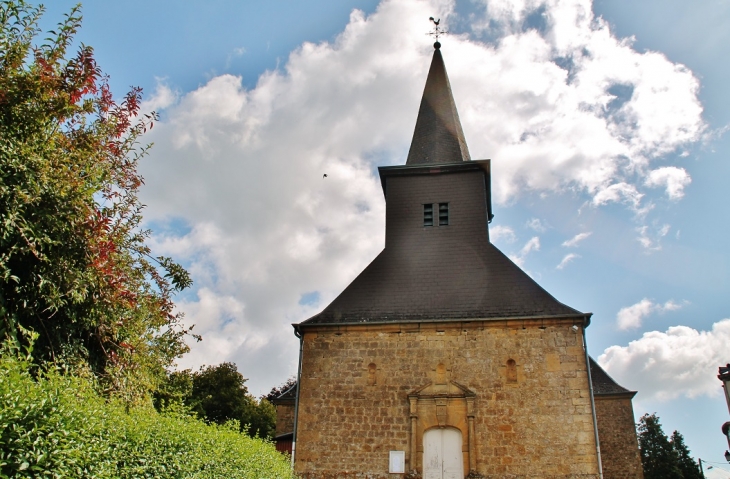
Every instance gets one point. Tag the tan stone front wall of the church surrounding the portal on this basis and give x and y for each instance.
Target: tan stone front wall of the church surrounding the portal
(531, 411)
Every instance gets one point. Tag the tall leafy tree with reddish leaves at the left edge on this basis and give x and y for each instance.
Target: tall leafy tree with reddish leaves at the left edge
(74, 266)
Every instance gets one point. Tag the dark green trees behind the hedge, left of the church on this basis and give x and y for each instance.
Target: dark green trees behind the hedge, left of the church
(219, 395)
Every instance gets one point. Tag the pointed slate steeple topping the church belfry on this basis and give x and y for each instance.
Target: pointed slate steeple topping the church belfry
(438, 137)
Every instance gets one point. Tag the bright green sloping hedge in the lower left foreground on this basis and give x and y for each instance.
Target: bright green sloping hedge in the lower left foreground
(56, 425)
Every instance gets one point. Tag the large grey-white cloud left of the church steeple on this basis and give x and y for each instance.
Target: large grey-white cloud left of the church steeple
(243, 169)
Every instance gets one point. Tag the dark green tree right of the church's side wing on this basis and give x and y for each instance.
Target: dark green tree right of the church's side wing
(661, 457)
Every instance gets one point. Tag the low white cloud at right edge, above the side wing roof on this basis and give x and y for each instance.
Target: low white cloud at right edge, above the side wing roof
(679, 362)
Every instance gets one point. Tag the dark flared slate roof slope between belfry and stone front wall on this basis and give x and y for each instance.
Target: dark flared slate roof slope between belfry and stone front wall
(471, 284)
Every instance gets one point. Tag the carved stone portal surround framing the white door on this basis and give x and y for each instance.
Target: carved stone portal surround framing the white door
(448, 404)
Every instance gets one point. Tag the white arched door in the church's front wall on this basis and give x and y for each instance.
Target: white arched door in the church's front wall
(442, 458)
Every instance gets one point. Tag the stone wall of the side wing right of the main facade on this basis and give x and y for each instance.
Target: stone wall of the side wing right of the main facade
(617, 436)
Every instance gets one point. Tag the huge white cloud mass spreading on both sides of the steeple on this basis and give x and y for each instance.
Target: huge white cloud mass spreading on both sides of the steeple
(568, 105)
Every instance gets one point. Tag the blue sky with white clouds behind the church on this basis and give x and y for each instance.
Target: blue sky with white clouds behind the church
(605, 122)
